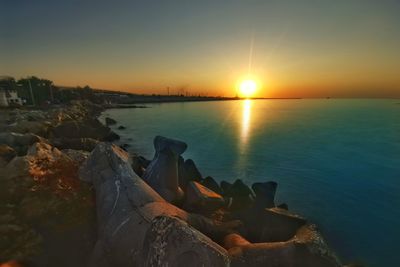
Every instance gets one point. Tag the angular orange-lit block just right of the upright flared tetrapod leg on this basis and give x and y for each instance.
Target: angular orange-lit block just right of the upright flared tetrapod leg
(201, 199)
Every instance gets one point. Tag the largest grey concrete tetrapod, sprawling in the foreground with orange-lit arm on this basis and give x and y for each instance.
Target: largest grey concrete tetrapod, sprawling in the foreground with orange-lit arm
(128, 232)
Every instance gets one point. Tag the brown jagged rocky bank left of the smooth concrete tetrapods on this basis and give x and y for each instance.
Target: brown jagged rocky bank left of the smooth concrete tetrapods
(46, 212)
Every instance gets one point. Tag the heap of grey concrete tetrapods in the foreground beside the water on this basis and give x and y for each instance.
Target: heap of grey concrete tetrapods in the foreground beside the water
(164, 213)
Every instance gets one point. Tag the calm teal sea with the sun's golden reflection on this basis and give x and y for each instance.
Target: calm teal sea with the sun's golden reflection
(337, 162)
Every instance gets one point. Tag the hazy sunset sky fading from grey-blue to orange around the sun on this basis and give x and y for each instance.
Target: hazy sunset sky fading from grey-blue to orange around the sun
(314, 48)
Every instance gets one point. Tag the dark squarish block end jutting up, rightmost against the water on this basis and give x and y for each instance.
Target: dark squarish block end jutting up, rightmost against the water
(265, 194)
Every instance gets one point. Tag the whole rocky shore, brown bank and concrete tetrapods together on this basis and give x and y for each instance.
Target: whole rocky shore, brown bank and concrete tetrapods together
(69, 197)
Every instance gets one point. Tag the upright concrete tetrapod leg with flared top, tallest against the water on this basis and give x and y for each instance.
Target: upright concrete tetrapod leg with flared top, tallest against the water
(162, 173)
